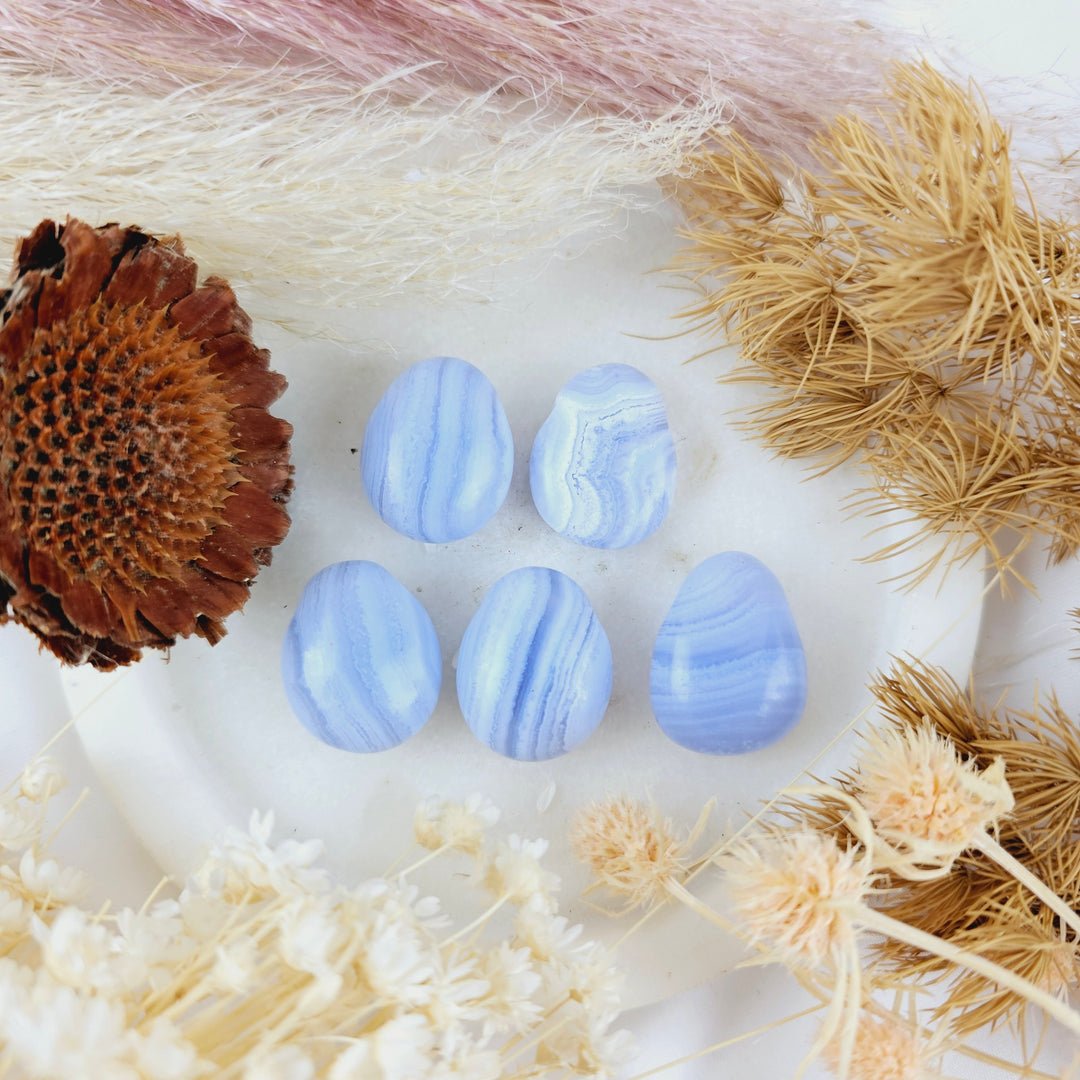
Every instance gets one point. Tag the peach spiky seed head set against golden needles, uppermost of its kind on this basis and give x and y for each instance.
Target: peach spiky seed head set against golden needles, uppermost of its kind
(919, 793)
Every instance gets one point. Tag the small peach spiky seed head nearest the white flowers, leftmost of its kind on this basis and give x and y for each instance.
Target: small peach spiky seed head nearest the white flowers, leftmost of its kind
(630, 848)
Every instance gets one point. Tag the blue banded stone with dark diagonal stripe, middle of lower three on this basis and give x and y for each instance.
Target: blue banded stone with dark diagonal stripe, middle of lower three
(535, 667)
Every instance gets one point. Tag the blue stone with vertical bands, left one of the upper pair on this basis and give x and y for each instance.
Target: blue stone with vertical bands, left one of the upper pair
(438, 453)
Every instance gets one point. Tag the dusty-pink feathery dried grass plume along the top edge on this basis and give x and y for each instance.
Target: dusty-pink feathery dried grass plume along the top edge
(786, 66)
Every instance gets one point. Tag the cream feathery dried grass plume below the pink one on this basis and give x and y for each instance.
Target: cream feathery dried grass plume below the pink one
(323, 195)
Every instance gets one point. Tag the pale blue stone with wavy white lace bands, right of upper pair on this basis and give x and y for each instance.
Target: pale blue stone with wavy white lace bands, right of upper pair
(603, 466)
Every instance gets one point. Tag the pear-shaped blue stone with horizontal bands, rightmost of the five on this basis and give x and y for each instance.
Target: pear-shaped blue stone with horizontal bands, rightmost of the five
(728, 670)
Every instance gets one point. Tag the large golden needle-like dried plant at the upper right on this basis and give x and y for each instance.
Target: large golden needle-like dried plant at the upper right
(912, 313)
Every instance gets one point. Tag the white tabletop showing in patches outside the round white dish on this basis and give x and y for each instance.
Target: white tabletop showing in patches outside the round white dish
(1027, 641)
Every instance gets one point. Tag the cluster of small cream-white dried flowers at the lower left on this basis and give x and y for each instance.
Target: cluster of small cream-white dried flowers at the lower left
(262, 968)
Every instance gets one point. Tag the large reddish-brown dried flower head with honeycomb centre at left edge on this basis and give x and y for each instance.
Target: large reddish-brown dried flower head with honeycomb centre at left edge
(142, 478)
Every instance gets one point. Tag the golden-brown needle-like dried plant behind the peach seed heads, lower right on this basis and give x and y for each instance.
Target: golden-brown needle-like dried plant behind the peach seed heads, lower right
(979, 906)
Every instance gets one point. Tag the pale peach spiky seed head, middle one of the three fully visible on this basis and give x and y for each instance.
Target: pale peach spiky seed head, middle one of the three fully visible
(795, 894)
